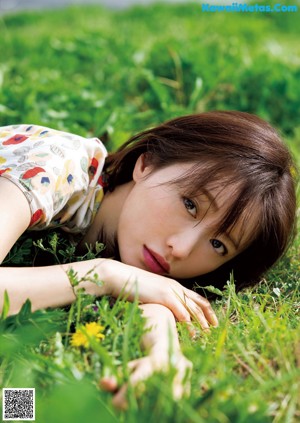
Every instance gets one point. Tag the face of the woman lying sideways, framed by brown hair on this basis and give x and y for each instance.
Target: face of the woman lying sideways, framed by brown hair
(163, 231)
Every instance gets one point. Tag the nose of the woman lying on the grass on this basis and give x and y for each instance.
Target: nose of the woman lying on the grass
(183, 244)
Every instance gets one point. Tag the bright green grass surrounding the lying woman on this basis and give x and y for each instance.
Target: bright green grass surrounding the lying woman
(111, 74)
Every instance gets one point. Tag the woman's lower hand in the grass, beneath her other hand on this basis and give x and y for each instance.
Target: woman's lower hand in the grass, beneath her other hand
(163, 351)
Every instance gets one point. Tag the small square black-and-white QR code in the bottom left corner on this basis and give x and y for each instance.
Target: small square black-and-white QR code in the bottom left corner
(18, 404)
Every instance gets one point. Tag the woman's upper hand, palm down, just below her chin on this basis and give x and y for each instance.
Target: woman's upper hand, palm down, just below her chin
(130, 282)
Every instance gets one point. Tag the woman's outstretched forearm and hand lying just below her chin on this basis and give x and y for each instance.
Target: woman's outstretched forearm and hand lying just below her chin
(50, 287)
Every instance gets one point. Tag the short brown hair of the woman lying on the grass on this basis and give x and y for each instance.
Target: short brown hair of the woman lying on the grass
(226, 148)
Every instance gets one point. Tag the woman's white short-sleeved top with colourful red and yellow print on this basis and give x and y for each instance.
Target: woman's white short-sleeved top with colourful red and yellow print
(59, 173)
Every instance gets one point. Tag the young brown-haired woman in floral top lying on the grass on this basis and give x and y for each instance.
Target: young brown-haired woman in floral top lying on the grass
(194, 198)
